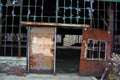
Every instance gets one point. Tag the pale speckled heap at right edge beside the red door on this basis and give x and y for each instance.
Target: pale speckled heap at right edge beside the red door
(115, 61)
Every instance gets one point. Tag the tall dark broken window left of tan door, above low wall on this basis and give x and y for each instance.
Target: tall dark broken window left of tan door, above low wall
(13, 36)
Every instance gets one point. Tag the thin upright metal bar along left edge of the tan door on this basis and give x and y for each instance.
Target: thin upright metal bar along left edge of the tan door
(28, 49)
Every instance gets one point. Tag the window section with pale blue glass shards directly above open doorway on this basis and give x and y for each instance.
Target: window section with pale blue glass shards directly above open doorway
(74, 11)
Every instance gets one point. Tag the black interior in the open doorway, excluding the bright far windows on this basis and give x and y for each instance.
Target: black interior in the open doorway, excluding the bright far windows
(68, 59)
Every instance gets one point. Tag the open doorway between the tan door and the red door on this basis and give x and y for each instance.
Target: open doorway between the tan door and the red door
(68, 50)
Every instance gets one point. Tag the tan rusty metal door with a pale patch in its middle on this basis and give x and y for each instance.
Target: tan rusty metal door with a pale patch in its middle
(42, 49)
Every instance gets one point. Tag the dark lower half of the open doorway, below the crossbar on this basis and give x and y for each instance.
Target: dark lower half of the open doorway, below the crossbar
(68, 61)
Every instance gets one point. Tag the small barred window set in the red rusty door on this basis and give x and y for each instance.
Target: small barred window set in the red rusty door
(96, 49)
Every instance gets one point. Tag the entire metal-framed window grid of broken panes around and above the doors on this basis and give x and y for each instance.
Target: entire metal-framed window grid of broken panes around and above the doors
(92, 12)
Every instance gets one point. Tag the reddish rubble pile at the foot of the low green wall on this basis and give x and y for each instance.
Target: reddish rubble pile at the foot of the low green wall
(16, 71)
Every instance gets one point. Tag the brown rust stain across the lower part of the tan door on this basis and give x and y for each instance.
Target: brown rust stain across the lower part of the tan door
(41, 62)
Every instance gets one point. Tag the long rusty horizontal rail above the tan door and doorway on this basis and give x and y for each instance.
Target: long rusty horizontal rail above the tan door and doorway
(54, 24)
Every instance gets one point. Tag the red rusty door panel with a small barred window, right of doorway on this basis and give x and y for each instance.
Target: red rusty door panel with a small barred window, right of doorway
(93, 66)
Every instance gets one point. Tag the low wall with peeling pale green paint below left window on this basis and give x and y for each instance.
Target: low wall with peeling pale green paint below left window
(10, 64)
